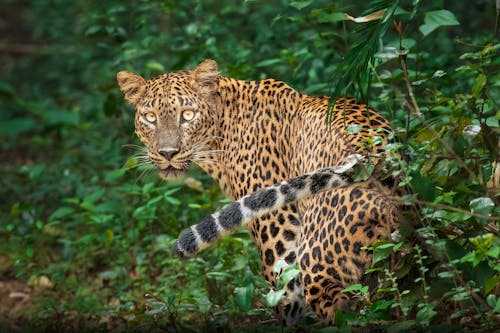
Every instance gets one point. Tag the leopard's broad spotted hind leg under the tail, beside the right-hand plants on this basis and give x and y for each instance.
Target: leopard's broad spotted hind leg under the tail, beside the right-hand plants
(336, 226)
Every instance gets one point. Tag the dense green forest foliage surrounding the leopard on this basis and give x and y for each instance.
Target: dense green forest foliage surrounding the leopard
(90, 231)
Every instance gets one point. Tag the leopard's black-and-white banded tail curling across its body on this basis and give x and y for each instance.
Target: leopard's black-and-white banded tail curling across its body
(266, 200)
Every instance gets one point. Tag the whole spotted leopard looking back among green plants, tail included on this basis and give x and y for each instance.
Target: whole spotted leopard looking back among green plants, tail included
(287, 170)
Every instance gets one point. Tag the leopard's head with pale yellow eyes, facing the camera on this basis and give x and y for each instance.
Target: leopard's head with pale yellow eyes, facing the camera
(175, 116)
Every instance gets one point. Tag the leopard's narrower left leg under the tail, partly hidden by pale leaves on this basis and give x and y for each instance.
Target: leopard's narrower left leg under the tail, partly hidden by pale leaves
(277, 236)
